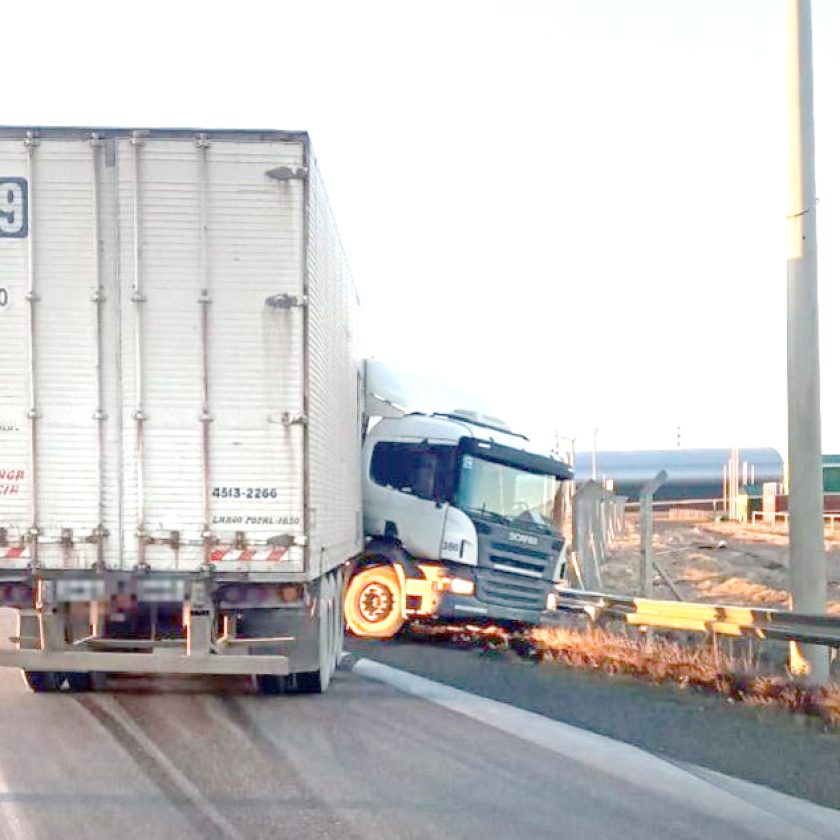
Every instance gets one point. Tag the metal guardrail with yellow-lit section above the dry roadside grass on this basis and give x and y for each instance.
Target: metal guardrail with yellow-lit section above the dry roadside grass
(720, 619)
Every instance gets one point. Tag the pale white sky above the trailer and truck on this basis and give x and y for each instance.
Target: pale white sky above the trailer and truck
(573, 208)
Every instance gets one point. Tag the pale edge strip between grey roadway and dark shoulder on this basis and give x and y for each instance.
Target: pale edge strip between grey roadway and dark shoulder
(771, 814)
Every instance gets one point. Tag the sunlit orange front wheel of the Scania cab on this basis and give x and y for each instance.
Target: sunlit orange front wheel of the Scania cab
(373, 603)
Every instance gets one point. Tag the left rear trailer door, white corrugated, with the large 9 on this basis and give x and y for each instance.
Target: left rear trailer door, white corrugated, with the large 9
(54, 379)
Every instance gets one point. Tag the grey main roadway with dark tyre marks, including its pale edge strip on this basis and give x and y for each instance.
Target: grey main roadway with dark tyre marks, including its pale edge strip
(173, 758)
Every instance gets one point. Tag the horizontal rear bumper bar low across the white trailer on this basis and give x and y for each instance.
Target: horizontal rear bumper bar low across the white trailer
(143, 663)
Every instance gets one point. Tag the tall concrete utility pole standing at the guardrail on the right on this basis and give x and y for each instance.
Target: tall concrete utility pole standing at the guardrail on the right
(807, 550)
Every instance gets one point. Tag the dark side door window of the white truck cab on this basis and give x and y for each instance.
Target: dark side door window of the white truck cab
(423, 470)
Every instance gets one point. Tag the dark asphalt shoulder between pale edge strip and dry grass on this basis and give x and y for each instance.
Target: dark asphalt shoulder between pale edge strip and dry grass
(789, 753)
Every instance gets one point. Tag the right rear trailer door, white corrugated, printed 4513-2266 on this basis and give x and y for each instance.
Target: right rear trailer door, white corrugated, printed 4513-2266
(217, 237)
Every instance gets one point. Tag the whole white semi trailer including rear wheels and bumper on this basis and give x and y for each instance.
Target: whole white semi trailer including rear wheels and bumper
(180, 406)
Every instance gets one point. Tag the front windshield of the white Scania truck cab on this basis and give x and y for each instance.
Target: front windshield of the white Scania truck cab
(507, 493)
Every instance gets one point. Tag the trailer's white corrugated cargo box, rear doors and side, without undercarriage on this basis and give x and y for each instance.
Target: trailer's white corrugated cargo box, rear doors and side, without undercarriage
(165, 393)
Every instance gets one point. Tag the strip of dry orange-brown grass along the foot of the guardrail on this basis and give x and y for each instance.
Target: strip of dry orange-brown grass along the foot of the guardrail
(658, 660)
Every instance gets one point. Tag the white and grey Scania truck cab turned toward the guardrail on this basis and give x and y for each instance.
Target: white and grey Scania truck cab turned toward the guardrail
(463, 520)
